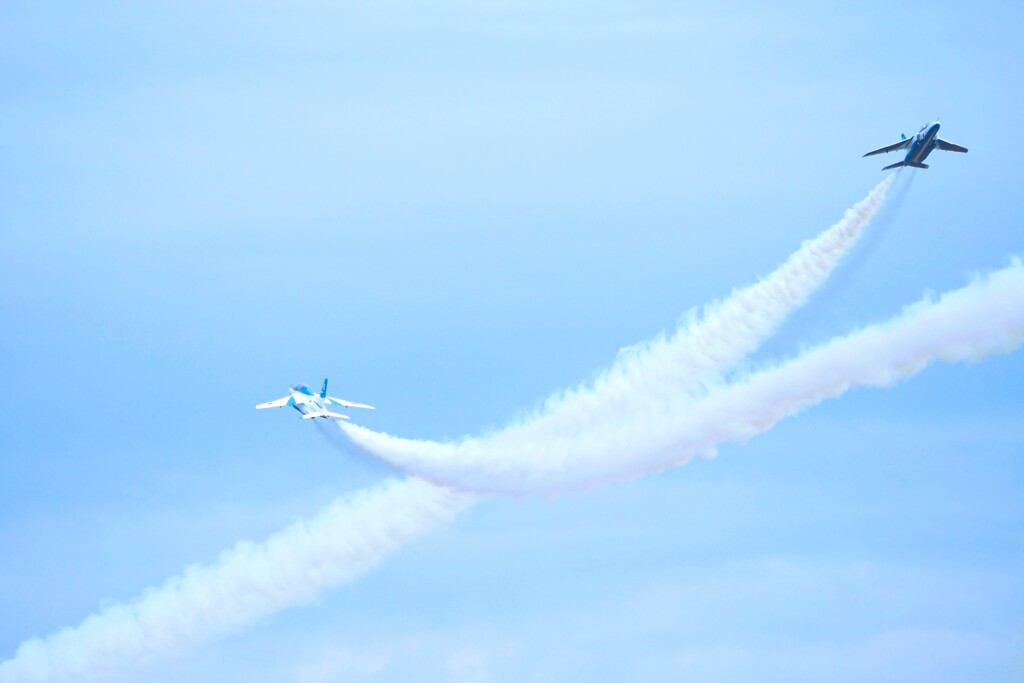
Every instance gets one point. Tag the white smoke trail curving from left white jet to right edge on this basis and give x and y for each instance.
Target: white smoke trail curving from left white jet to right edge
(985, 318)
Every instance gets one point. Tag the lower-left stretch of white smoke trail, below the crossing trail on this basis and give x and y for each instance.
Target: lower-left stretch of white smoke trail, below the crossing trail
(247, 583)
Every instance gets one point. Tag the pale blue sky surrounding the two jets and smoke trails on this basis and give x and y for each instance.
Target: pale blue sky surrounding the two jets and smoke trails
(453, 212)
